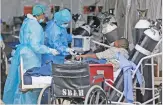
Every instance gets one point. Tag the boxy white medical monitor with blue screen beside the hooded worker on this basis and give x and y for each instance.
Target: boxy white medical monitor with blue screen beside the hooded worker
(81, 43)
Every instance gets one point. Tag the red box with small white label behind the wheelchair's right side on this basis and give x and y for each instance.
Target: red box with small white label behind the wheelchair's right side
(101, 69)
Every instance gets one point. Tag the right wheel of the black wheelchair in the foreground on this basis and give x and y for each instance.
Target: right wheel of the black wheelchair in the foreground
(96, 95)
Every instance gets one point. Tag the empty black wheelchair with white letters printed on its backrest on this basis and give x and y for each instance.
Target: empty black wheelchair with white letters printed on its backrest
(71, 85)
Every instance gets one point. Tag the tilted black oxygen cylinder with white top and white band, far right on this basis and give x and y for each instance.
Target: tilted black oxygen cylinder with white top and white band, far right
(146, 44)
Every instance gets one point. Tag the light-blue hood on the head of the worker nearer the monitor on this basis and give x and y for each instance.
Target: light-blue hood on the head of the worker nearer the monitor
(63, 16)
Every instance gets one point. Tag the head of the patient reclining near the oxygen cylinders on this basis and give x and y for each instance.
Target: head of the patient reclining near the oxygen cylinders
(122, 43)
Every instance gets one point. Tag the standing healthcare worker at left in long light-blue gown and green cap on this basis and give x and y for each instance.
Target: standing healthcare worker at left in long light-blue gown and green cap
(31, 48)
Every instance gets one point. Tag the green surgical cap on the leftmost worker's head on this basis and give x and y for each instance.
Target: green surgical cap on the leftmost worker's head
(38, 9)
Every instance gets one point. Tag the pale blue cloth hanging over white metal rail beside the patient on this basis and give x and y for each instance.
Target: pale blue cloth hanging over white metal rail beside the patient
(127, 67)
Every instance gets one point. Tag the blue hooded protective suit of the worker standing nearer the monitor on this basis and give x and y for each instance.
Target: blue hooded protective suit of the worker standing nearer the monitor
(57, 37)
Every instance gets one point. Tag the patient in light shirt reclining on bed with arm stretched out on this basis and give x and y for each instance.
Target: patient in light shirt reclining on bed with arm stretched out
(120, 46)
